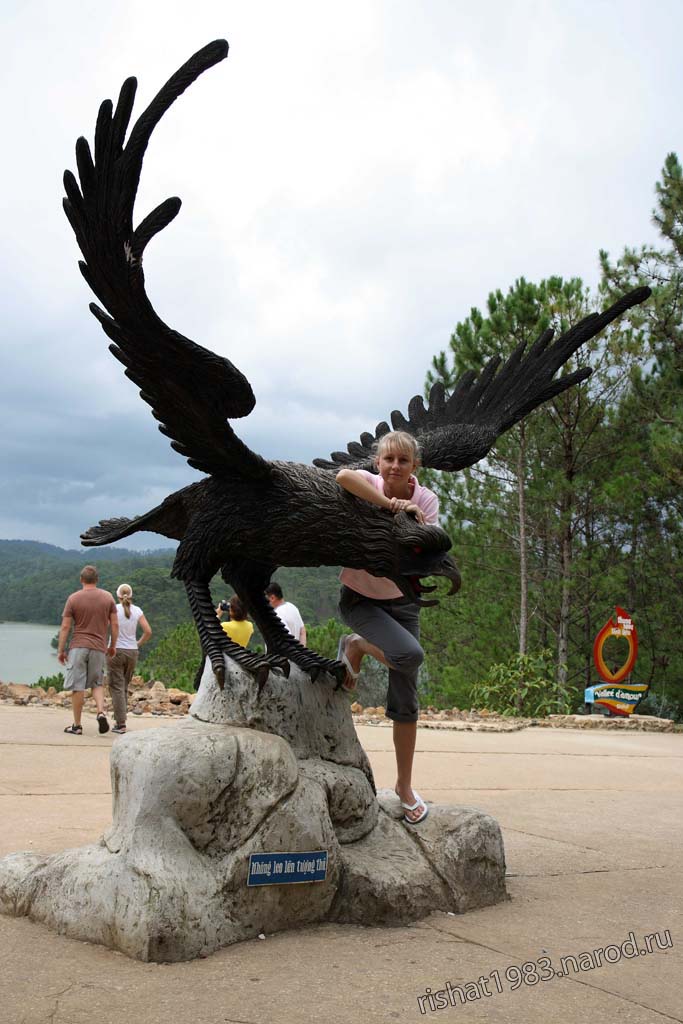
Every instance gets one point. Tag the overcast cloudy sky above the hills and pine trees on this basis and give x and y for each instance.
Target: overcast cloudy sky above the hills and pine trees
(355, 179)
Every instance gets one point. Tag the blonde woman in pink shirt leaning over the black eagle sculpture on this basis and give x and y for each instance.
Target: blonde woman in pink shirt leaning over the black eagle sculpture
(387, 624)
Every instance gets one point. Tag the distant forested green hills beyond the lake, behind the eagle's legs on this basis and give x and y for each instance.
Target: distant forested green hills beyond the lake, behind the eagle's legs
(36, 579)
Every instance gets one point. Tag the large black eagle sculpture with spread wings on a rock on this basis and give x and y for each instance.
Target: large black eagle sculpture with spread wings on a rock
(249, 516)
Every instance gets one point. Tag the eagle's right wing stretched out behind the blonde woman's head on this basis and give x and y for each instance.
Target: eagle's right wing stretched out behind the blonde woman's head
(459, 431)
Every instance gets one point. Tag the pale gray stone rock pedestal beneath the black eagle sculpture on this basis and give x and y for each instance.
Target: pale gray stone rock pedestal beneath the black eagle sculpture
(281, 774)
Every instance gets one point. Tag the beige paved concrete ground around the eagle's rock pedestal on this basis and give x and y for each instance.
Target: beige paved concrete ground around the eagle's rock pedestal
(593, 828)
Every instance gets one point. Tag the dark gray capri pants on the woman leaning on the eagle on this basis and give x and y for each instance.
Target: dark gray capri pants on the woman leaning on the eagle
(394, 627)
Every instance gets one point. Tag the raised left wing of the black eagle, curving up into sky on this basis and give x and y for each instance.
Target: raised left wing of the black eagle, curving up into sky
(192, 391)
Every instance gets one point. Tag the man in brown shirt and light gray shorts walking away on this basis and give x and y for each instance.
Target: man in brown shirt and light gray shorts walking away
(92, 612)
